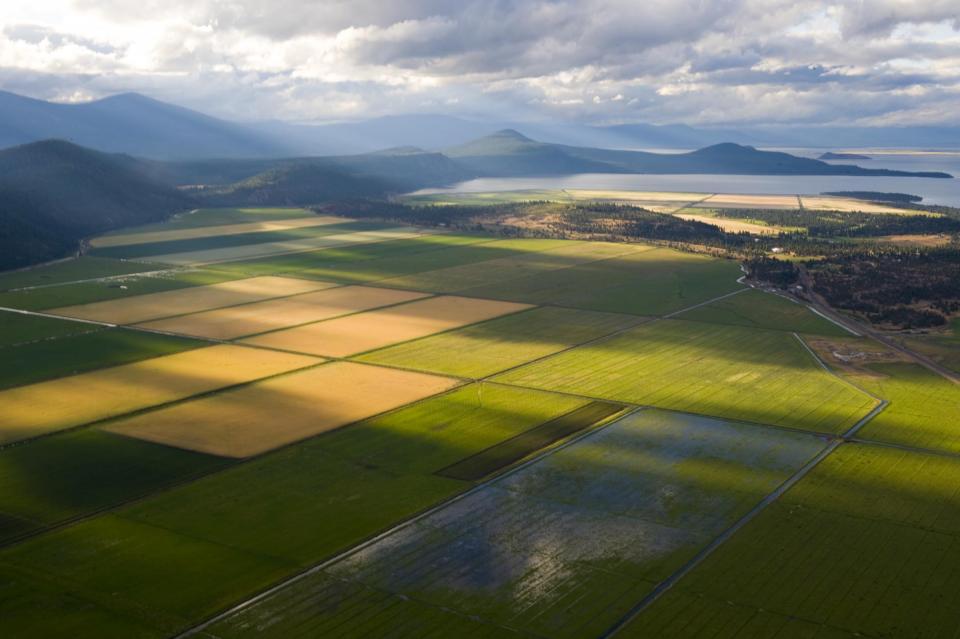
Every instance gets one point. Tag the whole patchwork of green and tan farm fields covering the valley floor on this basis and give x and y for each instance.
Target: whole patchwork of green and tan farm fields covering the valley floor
(390, 431)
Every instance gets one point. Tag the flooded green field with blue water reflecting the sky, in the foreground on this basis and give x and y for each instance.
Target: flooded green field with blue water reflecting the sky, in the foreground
(561, 548)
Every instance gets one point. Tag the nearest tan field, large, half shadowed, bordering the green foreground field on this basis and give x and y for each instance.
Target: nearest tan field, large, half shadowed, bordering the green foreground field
(246, 421)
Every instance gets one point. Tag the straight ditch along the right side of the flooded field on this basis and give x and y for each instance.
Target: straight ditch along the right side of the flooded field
(725, 536)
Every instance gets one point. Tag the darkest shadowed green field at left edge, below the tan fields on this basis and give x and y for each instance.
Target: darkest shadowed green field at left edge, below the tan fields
(77, 473)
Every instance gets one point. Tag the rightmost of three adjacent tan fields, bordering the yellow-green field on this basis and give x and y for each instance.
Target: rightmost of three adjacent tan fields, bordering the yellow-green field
(367, 331)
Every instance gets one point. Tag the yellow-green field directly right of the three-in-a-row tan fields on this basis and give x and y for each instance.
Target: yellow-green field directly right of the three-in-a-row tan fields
(490, 347)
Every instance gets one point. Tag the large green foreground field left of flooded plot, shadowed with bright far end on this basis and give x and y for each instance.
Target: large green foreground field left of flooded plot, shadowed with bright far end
(183, 554)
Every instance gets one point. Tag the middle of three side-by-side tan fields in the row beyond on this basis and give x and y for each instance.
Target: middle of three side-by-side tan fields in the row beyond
(270, 315)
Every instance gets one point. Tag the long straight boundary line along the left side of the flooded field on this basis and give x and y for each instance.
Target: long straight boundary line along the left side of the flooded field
(316, 568)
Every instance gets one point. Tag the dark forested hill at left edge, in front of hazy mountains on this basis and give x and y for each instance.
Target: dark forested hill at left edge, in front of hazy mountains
(54, 193)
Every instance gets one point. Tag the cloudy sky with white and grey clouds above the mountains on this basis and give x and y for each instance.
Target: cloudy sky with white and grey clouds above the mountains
(699, 62)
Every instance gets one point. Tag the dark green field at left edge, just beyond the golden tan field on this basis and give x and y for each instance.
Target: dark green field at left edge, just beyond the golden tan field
(49, 359)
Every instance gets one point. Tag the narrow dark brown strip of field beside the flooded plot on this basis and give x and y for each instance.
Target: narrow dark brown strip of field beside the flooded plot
(501, 455)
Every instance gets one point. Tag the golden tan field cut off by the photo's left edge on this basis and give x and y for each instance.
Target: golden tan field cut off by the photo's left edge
(50, 406)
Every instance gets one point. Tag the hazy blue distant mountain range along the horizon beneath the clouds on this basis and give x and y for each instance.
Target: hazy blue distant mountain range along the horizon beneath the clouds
(138, 125)
